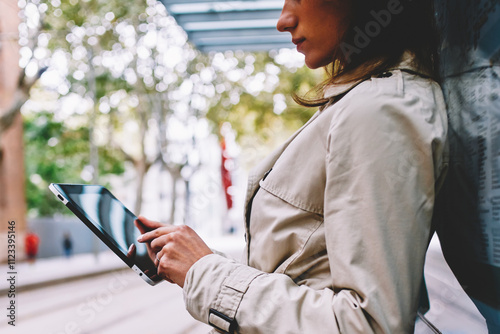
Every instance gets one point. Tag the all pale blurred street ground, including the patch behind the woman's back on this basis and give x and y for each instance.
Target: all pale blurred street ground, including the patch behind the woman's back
(118, 301)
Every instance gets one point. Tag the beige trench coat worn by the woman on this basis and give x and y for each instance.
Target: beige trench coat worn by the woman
(338, 229)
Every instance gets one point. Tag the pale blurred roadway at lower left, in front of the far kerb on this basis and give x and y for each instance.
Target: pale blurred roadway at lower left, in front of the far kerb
(117, 302)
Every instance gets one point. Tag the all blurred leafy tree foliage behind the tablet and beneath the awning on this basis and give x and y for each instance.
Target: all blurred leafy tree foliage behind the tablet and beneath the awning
(130, 65)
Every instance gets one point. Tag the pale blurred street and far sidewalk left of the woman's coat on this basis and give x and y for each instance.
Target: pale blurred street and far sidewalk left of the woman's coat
(85, 295)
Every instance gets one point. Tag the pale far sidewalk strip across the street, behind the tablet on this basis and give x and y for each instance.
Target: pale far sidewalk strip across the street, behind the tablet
(59, 269)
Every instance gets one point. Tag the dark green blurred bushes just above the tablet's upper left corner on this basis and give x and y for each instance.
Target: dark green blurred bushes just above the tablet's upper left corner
(56, 153)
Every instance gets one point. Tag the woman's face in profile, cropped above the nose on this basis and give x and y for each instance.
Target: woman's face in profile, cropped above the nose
(316, 27)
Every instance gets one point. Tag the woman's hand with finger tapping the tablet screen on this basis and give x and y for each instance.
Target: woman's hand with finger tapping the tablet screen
(177, 248)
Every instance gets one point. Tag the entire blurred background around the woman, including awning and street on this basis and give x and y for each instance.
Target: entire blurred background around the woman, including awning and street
(170, 115)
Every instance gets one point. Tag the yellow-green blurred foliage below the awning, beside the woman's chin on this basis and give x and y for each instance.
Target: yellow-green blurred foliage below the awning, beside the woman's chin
(252, 115)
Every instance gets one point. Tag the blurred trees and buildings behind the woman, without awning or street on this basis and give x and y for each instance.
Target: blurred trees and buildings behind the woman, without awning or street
(102, 93)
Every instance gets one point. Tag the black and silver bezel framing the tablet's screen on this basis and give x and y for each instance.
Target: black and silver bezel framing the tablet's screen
(57, 189)
